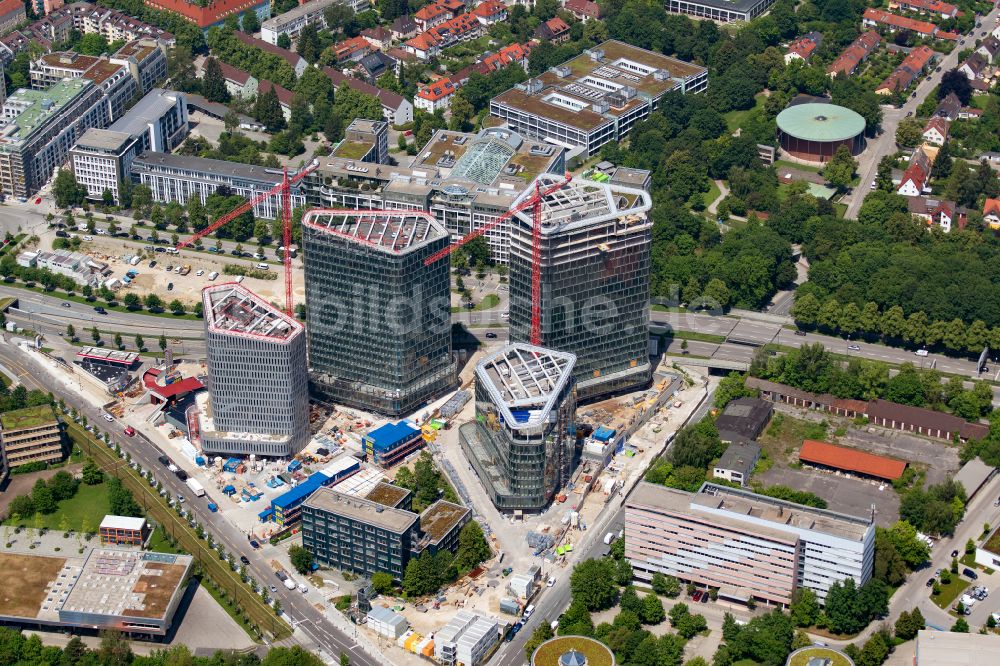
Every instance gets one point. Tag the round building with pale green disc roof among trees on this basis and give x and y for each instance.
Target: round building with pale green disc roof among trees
(814, 131)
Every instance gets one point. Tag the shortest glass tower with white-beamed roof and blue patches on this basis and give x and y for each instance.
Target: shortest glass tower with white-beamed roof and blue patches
(521, 444)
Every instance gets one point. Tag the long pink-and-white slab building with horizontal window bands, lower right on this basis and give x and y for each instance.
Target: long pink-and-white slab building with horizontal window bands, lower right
(745, 545)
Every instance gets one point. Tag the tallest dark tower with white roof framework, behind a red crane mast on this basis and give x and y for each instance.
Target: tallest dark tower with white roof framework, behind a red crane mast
(594, 270)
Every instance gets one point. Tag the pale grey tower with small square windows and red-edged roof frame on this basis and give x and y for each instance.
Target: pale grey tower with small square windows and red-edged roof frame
(257, 367)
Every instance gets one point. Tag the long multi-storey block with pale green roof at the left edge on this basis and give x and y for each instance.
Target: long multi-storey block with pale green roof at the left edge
(38, 129)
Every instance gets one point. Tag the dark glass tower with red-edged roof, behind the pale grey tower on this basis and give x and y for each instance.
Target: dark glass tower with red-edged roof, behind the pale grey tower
(378, 320)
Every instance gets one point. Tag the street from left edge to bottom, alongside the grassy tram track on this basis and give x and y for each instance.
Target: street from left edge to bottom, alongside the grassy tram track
(312, 622)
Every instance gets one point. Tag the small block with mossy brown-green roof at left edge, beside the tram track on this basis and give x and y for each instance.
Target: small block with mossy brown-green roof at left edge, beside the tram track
(32, 434)
